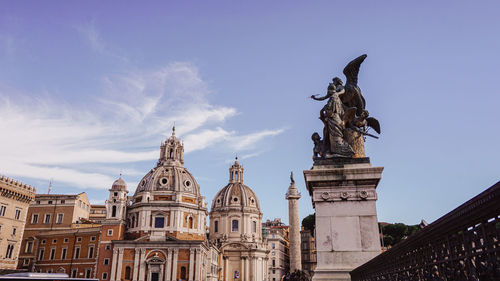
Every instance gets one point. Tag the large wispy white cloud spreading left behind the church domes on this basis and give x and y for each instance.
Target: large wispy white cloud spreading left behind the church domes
(125, 124)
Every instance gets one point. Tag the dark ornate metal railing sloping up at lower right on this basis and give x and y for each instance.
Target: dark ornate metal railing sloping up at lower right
(462, 245)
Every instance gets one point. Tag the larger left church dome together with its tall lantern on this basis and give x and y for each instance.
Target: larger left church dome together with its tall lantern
(169, 173)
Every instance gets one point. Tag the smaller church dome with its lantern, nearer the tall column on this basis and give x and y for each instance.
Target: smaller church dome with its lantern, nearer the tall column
(235, 194)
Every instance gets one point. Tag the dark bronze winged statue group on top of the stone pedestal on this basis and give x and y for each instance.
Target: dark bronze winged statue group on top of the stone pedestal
(346, 121)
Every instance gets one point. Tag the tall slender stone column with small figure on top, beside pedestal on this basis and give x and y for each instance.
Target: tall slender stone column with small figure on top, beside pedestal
(293, 197)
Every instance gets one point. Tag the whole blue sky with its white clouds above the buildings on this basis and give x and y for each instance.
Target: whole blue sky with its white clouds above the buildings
(91, 88)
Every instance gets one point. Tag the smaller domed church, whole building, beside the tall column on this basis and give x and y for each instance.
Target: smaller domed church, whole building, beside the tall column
(236, 229)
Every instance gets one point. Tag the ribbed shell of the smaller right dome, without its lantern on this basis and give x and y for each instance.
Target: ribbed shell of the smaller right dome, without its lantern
(235, 195)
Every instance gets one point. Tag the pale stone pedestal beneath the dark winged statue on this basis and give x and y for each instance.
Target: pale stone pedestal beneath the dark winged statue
(344, 196)
